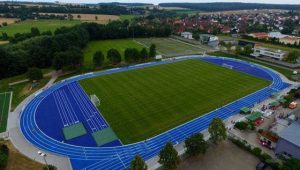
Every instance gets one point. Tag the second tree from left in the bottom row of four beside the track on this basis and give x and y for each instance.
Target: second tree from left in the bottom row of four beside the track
(168, 157)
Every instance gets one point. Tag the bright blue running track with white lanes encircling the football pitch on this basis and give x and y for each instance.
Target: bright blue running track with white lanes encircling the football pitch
(65, 103)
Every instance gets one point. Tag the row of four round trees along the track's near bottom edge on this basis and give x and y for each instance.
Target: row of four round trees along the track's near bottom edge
(195, 145)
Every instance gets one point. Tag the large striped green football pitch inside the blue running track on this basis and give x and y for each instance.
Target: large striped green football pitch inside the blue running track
(142, 103)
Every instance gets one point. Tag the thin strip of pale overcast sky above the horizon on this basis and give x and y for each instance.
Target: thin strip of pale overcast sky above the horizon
(160, 1)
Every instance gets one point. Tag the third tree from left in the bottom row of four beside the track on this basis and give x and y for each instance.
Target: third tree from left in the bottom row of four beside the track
(195, 145)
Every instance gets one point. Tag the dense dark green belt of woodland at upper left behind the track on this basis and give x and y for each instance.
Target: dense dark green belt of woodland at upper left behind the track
(64, 47)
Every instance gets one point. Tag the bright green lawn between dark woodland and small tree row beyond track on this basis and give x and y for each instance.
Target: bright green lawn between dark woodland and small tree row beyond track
(105, 45)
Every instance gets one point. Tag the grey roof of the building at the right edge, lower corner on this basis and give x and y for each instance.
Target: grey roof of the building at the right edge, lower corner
(291, 133)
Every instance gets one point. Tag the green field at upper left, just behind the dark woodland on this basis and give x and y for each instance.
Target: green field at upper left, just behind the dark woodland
(42, 25)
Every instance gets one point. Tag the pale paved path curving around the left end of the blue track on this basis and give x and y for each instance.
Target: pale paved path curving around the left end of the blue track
(26, 148)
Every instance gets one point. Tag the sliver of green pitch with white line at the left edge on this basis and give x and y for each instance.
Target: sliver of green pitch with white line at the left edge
(4, 109)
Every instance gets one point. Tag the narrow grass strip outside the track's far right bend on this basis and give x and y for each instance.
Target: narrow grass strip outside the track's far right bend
(285, 72)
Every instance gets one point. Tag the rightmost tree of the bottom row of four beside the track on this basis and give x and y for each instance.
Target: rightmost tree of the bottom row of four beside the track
(217, 130)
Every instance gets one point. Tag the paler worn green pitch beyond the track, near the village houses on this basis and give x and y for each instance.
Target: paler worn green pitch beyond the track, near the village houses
(170, 47)
